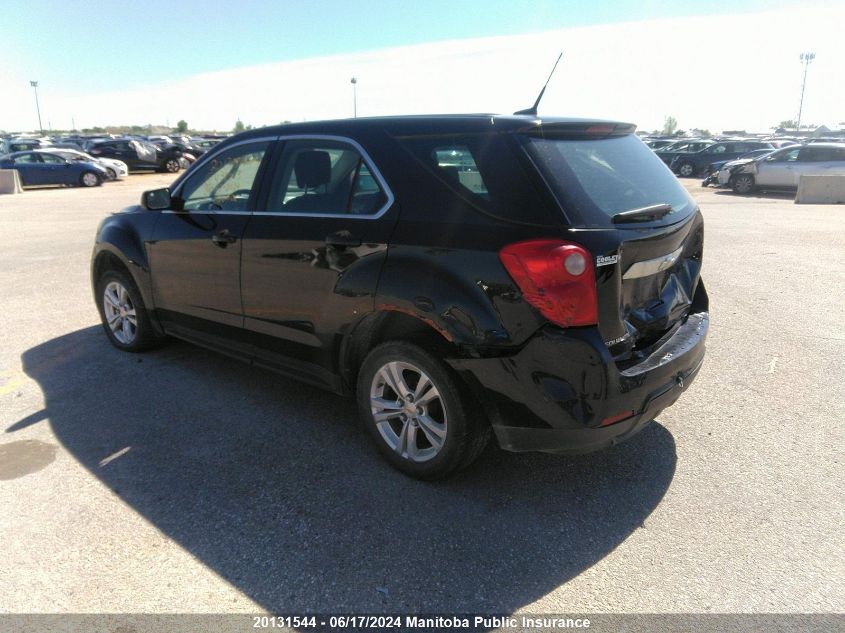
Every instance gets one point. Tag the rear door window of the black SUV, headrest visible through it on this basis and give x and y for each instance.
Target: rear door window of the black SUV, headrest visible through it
(324, 178)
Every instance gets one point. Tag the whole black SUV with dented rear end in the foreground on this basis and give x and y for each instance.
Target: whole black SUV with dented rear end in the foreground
(537, 278)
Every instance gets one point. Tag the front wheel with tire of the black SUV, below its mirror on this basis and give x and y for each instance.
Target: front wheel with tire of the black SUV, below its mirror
(123, 313)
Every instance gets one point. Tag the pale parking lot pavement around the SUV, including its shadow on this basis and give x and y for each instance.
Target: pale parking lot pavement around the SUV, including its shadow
(182, 481)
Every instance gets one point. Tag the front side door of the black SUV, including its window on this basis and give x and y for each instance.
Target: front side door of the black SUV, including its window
(195, 253)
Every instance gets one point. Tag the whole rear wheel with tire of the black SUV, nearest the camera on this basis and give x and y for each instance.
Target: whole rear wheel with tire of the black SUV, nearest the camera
(416, 411)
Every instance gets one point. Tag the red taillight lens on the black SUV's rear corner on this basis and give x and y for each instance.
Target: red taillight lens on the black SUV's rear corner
(556, 277)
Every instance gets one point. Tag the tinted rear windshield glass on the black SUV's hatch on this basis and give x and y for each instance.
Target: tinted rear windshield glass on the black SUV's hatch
(594, 179)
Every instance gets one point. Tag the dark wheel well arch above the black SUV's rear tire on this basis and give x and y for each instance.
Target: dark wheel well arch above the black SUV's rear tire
(389, 326)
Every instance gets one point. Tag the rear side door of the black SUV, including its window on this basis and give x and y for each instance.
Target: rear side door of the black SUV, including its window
(312, 256)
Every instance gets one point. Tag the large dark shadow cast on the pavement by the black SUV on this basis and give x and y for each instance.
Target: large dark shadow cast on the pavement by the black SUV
(274, 486)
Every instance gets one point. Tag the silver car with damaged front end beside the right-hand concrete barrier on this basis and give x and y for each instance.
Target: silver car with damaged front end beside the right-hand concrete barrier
(782, 168)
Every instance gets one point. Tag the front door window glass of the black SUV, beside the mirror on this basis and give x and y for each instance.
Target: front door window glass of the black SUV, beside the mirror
(227, 182)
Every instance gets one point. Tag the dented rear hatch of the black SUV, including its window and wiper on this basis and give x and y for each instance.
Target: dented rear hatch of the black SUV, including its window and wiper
(643, 229)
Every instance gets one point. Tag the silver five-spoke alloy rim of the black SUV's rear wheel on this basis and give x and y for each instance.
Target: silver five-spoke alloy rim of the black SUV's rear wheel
(408, 411)
